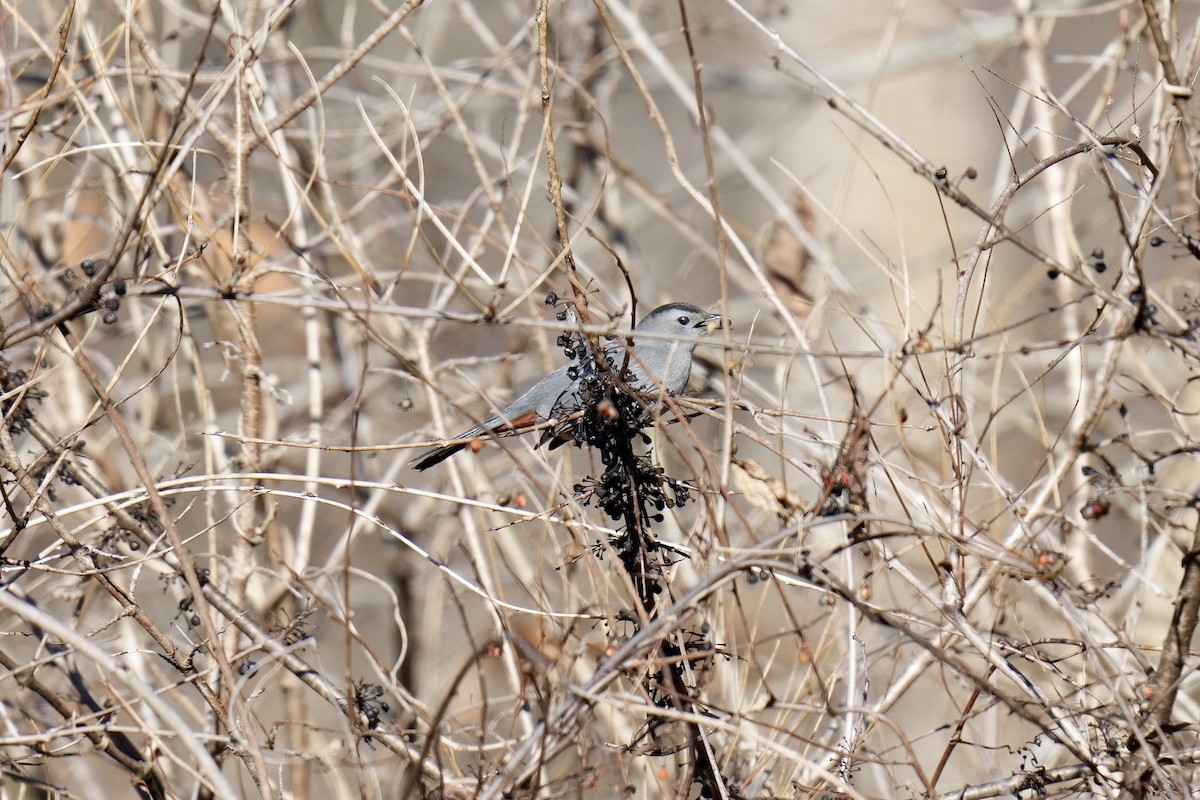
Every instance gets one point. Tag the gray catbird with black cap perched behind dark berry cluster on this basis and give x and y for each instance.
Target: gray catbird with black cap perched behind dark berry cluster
(668, 360)
